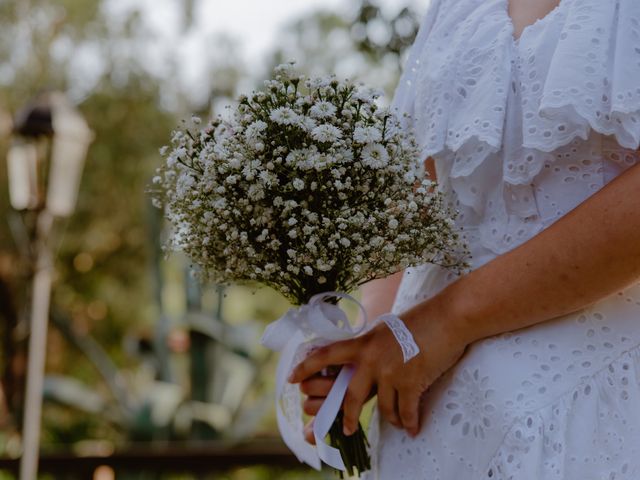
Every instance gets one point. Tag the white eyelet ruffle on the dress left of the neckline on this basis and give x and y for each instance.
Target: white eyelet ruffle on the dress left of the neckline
(454, 85)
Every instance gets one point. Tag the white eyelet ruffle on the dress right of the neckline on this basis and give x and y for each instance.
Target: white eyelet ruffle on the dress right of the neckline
(591, 79)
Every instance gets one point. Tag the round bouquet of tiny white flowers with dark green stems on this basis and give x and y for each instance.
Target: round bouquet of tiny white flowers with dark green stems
(308, 187)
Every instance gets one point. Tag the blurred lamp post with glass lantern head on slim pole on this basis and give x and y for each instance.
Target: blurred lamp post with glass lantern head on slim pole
(45, 162)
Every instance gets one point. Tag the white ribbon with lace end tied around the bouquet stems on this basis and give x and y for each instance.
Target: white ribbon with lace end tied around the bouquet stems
(315, 324)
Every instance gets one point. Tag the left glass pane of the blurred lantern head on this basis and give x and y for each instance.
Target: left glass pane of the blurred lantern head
(22, 165)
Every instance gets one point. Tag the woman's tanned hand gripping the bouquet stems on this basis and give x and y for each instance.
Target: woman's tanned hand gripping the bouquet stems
(379, 363)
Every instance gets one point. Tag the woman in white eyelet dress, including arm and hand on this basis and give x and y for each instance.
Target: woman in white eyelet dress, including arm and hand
(528, 113)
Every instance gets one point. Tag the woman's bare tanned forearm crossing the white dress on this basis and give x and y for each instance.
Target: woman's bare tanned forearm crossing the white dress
(590, 253)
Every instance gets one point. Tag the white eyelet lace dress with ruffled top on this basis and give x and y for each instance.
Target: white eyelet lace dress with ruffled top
(522, 132)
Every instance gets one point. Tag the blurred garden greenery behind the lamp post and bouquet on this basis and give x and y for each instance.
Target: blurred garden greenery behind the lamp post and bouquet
(134, 338)
